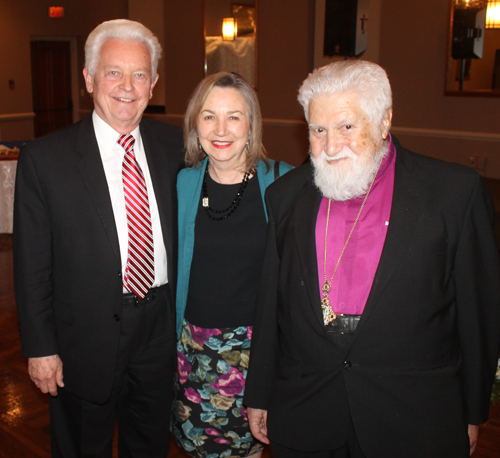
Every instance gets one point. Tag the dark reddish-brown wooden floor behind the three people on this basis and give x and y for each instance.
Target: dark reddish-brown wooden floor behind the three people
(24, 420)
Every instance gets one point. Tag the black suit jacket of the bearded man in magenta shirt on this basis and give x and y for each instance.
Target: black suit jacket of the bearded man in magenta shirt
(424, 353)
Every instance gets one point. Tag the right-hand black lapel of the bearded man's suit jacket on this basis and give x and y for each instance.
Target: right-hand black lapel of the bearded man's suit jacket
(405, 213)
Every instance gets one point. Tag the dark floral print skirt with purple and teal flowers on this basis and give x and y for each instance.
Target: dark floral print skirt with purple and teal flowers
(209, 419)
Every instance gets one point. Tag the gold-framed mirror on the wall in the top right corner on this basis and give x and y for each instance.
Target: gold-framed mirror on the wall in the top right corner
(473, 60)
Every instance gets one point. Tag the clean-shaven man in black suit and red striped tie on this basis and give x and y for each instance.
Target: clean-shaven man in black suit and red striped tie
(95, 257)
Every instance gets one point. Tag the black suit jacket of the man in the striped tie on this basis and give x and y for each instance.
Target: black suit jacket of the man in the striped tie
(67, 268)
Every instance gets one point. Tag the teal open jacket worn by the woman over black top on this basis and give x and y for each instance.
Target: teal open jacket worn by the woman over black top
(189, 183)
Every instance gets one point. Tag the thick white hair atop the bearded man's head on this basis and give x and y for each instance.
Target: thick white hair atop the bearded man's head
(365, 78)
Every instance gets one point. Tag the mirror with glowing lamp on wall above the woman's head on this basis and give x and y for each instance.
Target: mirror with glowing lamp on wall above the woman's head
(230, 37)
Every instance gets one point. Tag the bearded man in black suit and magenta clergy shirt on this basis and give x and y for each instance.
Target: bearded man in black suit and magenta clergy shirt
(378, 318)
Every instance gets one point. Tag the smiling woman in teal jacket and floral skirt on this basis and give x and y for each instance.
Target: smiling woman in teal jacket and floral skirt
(222, 227)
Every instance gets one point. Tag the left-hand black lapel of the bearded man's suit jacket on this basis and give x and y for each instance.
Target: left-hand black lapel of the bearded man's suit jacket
(305, 215)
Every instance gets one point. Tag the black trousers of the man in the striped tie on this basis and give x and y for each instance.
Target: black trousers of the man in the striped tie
(141, 397)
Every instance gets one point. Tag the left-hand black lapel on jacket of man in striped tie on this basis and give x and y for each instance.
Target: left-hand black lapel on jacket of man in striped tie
(92, 173)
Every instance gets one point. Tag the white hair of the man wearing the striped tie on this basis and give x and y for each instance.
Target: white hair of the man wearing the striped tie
(122, 29)
